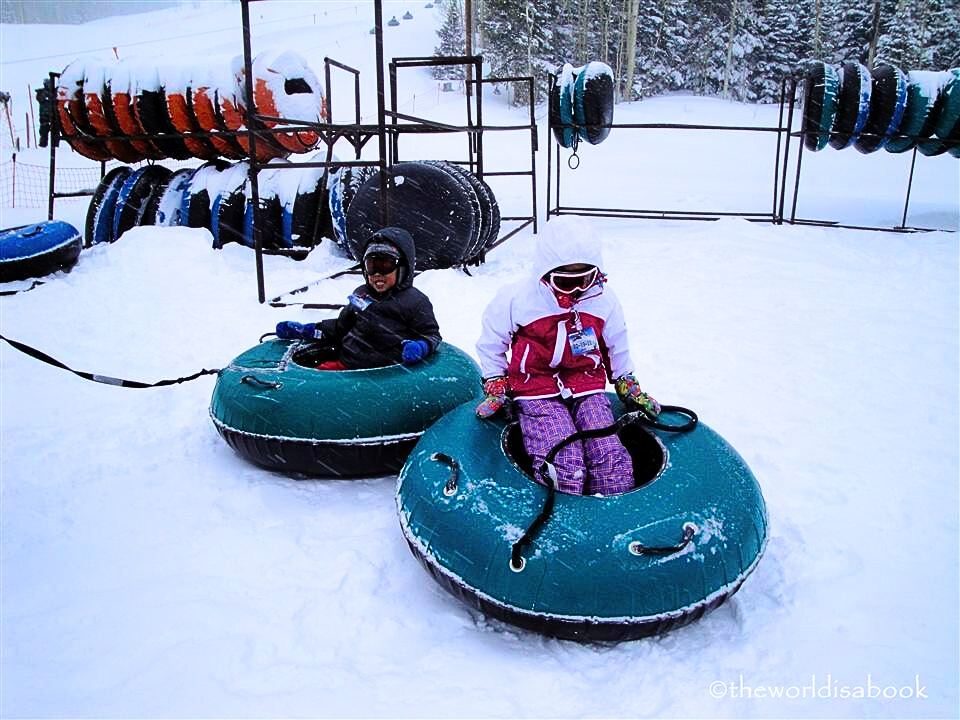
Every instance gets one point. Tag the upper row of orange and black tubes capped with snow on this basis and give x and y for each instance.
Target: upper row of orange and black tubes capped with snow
(132, 111)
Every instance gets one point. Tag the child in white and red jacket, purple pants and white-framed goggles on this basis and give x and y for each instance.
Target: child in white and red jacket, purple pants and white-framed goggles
(566, 337)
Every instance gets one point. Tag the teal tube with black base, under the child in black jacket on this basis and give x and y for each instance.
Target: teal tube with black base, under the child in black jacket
(277, 411)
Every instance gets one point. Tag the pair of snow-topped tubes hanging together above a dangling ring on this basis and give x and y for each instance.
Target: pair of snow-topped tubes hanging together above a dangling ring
(581, 104)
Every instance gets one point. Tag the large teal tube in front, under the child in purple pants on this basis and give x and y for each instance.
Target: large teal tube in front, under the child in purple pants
(608, 568)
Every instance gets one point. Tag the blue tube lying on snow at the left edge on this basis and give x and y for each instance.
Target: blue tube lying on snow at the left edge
(37, 250)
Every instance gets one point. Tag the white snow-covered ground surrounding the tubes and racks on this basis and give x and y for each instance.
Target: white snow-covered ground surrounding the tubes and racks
(147, 571)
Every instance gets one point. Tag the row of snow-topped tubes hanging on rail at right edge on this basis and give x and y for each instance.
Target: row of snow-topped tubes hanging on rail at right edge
(883, 109)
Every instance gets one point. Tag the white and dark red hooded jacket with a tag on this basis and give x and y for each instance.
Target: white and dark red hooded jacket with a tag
(531, 339)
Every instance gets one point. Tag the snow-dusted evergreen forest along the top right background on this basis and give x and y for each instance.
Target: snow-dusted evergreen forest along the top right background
(741, 48)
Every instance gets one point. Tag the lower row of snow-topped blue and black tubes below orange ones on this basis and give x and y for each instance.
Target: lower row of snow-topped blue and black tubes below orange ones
(293, 218)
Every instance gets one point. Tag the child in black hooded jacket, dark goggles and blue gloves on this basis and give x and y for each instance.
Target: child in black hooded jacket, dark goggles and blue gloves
(387, 321)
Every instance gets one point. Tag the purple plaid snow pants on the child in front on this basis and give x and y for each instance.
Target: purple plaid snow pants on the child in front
(594, 466)
